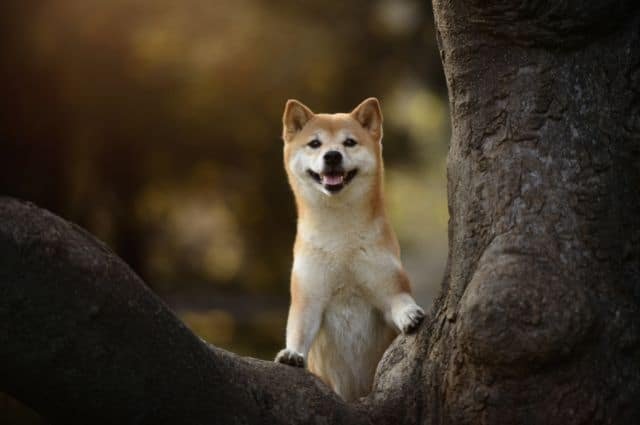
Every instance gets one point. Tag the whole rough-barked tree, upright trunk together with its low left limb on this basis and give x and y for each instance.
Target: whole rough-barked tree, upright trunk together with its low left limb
(538, 320)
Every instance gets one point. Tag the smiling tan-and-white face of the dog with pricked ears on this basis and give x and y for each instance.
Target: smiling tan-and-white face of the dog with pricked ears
(332, 154)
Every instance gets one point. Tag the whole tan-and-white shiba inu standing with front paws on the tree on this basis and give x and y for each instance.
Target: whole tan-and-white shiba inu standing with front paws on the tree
(349, 293)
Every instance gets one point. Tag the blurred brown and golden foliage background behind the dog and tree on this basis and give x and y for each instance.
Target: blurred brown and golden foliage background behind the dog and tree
(155, 124)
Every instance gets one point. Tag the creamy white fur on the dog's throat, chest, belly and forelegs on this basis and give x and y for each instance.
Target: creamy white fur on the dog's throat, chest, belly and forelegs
(347, 274)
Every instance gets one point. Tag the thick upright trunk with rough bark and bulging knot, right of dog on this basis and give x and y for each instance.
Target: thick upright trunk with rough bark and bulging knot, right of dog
(538, 319)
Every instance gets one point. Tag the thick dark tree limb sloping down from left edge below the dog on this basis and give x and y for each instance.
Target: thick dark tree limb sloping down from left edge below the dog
(82, 340)
